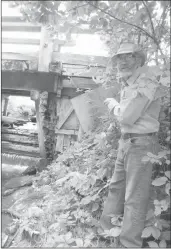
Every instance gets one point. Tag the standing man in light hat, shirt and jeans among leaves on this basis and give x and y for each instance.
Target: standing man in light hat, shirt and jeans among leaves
(137, 114)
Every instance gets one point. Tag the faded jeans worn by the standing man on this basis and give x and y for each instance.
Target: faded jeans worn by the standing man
(129, 190)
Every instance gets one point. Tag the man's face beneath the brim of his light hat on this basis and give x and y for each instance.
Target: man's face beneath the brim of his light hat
(126, 63)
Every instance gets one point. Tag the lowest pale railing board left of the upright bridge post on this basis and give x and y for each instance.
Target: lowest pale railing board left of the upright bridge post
(17, 56)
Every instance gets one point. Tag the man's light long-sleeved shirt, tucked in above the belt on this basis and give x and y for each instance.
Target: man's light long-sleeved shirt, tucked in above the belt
(139, 107)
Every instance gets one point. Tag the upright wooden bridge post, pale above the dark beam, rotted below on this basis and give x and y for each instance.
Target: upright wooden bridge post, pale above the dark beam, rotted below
(44, 109)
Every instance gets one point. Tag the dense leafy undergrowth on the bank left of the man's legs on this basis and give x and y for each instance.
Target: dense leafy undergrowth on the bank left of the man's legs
(74, 188)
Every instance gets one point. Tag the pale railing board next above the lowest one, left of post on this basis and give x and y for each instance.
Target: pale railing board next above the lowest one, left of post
(20, 41)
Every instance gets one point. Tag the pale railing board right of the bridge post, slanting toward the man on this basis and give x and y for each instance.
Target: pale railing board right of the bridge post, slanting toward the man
(80, 59)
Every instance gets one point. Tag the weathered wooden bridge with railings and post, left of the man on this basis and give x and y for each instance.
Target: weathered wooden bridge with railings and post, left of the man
(52, 79)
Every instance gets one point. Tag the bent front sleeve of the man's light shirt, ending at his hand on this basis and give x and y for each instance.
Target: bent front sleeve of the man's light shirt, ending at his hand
(129, 110)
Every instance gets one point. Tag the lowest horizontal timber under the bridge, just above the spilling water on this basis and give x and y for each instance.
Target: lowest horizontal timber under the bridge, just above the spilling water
(16, 147)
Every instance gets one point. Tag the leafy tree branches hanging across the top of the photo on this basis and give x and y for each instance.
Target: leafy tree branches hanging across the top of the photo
(146, 22)
